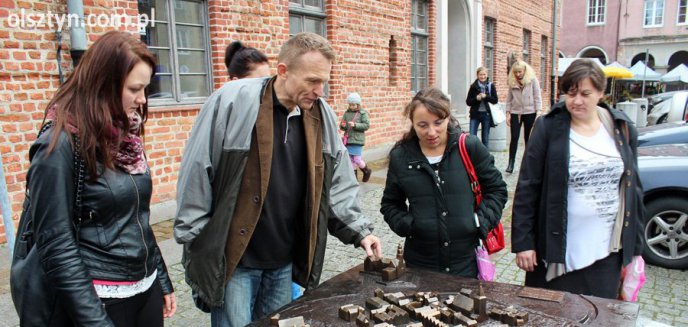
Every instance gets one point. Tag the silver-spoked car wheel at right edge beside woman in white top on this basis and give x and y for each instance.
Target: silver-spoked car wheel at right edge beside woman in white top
(666, 232)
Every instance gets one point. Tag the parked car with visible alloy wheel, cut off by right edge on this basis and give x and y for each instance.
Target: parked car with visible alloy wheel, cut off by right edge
(663, 170)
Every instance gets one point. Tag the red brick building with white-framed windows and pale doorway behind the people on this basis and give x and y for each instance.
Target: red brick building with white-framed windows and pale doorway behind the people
(387, 50)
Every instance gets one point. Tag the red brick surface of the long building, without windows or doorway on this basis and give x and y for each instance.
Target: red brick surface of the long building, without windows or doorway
(361, 32)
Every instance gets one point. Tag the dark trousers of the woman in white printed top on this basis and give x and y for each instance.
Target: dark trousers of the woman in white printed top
(601, 279)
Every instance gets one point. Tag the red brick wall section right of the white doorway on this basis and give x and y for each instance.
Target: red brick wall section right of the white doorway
(512, 17)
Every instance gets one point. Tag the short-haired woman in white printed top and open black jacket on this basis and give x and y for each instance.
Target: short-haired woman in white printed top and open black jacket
(578, 204)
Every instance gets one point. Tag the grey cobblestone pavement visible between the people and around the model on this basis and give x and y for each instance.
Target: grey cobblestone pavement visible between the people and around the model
(663, 300)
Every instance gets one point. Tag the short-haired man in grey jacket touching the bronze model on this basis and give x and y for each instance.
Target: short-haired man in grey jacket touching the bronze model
(263, 178)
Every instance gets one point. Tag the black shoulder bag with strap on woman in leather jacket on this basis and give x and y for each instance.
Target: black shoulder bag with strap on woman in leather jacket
(32, 294)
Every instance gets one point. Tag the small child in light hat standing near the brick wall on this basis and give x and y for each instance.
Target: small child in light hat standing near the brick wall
(354, 124)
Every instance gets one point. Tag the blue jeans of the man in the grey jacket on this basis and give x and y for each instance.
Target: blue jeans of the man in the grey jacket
(252, 294)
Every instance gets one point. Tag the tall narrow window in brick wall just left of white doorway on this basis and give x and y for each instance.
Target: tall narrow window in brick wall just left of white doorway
(419, 44)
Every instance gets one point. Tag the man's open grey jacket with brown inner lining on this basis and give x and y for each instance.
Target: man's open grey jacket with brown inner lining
(223, 180)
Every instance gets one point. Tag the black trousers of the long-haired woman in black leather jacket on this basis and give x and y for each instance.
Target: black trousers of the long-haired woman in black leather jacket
(144, 309)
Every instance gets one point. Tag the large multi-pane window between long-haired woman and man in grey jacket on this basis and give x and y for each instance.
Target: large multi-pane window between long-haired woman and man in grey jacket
(178, 37)
